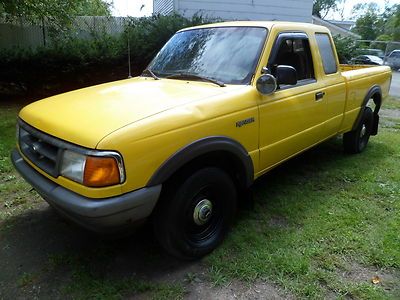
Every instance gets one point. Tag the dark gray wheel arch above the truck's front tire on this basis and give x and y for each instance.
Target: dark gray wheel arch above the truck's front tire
(215, 150)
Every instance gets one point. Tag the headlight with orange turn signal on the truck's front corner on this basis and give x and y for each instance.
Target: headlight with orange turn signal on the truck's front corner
(97, 170)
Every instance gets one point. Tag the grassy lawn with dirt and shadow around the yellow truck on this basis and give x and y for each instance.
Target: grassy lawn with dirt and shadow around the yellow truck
(325, 224)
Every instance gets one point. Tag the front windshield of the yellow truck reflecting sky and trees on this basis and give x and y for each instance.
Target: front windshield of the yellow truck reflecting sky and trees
(226, 54)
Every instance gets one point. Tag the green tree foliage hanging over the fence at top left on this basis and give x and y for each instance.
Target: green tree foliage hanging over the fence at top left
(56, 13)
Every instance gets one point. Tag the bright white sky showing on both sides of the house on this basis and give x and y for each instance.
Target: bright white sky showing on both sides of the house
(137, 8)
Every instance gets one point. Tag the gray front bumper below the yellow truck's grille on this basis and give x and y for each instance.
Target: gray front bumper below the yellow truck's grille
(100, 215)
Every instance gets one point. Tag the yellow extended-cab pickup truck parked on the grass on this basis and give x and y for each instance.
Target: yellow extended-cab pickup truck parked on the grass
(219, 106)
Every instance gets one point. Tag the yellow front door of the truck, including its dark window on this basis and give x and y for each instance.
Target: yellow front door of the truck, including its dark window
(292, 118)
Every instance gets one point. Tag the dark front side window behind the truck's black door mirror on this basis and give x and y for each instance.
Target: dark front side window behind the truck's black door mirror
(293, 51)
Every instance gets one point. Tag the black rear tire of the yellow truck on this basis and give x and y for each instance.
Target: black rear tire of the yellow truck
(356, 141)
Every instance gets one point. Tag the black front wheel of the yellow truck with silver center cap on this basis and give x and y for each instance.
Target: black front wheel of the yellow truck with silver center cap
(175, 217)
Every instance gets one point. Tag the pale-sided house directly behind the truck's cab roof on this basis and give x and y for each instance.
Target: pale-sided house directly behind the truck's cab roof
(267, 10)
